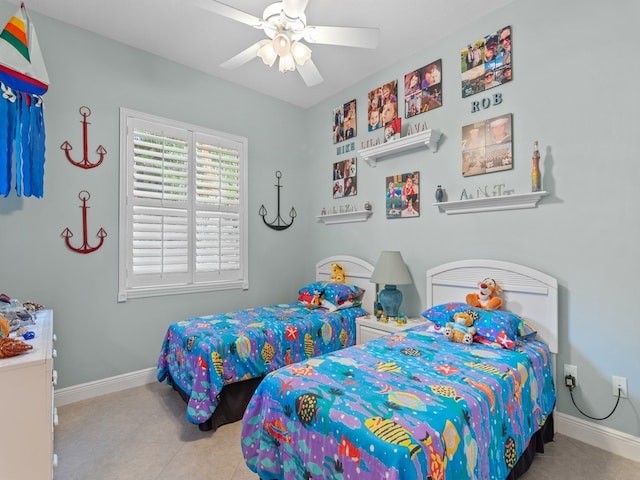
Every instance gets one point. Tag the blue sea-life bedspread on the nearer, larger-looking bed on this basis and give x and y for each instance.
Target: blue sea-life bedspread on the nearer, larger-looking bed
(407, 406)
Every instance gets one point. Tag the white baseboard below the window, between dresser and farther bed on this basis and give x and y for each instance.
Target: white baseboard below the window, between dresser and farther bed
(76, 393)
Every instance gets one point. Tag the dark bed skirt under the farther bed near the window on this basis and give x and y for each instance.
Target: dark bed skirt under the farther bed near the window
(234, 399)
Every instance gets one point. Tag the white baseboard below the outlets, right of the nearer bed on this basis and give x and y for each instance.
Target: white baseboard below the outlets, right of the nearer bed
(608, 439)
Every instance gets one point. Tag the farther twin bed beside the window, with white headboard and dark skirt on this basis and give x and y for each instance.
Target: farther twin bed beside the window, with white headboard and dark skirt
(215, 362)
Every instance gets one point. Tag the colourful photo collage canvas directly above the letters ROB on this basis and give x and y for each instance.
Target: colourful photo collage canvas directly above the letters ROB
(486, 62)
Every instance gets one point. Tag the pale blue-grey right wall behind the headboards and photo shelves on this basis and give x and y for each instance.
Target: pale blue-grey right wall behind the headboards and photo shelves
(575, 90)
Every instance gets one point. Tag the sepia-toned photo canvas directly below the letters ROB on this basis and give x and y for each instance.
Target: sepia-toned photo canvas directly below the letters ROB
(487, 146)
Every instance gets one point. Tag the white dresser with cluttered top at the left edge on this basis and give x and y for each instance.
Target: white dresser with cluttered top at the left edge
(26, 406)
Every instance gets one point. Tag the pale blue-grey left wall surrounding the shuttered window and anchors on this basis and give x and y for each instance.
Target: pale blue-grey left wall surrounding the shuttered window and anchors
(98, 337)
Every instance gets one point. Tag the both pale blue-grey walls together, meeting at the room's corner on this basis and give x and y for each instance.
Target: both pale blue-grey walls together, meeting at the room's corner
(575, 70)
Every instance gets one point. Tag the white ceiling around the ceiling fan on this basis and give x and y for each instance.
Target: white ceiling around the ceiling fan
(184, 33)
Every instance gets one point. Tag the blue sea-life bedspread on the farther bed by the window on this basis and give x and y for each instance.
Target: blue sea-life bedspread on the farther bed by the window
(204, 354)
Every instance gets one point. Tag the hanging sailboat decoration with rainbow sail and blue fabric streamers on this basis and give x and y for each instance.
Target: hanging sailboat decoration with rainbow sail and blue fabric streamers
(23, 79)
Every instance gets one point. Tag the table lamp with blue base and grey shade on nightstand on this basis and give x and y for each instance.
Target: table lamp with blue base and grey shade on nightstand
(391, 270)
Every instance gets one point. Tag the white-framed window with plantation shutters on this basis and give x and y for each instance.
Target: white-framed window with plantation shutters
(183, 226)
